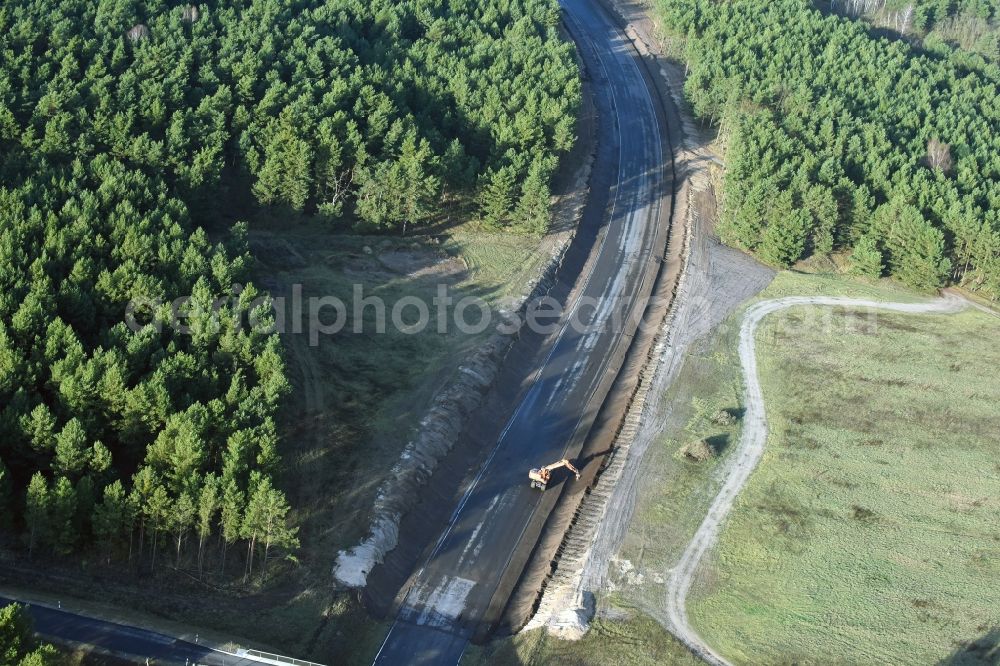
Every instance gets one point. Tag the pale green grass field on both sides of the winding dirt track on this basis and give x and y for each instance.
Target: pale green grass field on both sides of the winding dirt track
(870, 533)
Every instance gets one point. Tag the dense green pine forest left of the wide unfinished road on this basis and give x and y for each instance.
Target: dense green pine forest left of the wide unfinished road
(128, 125)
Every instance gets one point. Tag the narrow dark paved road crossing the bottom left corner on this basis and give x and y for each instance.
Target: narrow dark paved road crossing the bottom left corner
(139, 644)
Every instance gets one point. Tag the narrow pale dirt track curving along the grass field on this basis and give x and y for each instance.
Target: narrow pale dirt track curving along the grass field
(750, 448)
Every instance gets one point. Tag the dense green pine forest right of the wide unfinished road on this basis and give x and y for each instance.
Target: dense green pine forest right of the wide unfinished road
(838, 140)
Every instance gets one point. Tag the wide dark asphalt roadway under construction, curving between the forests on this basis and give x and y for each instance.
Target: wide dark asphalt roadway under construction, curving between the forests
(450, 594)
